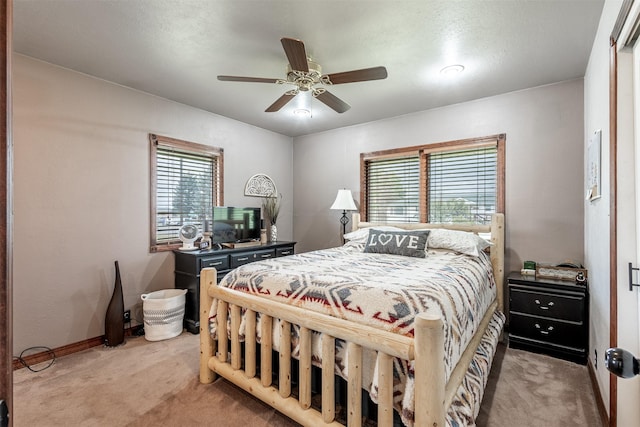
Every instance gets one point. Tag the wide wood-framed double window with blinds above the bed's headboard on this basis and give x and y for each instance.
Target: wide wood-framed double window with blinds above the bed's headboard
(450, 182)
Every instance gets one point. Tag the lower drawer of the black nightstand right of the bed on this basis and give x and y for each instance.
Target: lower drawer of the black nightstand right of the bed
(547, 330)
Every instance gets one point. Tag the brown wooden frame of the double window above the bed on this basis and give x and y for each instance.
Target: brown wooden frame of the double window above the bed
(423, 152)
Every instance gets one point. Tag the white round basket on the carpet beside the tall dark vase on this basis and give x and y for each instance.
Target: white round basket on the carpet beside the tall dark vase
(163, 313)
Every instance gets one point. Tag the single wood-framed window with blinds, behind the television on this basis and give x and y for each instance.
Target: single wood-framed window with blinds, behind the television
(186, 182)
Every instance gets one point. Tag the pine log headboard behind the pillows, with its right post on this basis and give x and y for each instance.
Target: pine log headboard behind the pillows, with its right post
(496, 228)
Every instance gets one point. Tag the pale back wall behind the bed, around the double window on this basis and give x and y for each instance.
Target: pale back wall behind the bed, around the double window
(544, 167)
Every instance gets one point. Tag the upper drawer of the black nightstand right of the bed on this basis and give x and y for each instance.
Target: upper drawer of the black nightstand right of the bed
(540, 303)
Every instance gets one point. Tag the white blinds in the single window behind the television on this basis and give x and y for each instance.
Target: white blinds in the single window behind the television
(185, 190)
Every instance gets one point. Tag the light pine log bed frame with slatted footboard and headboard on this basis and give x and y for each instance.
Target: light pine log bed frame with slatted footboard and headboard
(432, 395)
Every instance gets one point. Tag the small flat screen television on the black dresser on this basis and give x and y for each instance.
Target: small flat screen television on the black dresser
(232, 224)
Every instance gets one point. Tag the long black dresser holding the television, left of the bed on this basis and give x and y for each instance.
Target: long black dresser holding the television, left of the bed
(189, 264)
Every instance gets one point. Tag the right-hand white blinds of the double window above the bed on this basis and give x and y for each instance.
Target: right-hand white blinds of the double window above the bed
(462, 185)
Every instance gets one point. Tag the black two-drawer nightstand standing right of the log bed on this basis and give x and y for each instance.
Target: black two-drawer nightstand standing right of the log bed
(549, 316)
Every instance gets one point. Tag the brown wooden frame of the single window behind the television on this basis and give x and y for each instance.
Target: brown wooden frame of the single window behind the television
(178, 145)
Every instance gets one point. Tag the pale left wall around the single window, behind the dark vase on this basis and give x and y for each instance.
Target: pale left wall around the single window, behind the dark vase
(81, 194)
